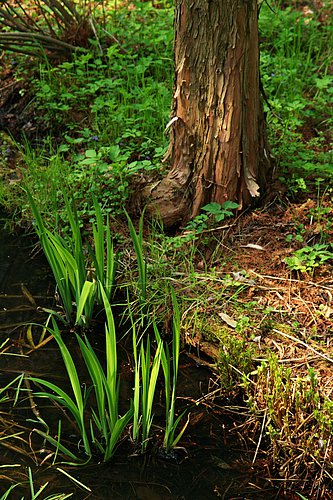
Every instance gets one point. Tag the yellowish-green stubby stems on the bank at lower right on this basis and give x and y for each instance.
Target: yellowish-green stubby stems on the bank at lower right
(296, 412)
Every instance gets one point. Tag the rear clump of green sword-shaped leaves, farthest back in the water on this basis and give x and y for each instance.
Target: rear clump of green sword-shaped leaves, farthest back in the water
(75, 273)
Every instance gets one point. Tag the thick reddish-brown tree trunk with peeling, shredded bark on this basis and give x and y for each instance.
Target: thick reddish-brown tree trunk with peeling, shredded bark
(218, 147)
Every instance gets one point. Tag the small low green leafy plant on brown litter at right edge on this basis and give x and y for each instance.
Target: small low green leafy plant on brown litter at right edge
(307, 258)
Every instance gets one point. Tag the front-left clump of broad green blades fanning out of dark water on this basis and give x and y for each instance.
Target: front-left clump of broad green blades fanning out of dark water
(105, 425)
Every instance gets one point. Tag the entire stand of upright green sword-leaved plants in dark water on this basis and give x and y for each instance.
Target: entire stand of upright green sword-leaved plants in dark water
(85, 277)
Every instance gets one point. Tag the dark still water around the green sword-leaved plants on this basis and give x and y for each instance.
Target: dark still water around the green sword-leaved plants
(208, 465)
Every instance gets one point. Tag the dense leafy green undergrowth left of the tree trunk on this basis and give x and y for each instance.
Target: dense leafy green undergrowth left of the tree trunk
(100, 117)
